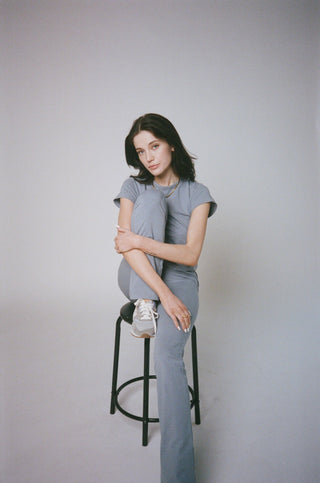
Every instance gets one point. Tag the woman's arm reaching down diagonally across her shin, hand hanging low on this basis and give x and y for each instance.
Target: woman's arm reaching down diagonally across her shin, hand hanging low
(139, 262)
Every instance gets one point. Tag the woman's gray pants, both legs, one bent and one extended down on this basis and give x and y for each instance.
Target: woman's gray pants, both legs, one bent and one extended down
(177, 458)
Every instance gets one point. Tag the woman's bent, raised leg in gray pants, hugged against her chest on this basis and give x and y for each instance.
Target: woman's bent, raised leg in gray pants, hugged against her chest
(149, 218)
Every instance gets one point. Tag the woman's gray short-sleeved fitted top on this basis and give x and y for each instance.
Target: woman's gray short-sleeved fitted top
(187, 196)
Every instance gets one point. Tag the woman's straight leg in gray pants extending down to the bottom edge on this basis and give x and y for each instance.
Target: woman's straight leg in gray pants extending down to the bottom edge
(177, 458)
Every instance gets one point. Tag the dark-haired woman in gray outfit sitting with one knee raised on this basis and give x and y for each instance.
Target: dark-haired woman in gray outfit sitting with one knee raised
(162, 225)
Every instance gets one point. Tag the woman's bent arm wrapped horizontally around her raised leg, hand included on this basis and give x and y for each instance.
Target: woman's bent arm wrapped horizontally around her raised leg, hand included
(187, 254)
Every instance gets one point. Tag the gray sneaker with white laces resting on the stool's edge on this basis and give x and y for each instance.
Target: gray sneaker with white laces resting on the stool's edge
(144, 319)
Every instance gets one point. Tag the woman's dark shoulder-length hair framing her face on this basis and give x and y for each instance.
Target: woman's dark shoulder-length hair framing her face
(162, 128)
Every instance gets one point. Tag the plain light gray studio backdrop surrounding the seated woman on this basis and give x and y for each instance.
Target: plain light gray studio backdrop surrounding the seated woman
(239, 81)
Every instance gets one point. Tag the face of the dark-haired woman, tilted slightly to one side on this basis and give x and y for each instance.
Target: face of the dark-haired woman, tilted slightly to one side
(155, 154)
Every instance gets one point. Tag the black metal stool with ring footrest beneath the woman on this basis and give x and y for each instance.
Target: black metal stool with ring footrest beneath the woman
(126, 313)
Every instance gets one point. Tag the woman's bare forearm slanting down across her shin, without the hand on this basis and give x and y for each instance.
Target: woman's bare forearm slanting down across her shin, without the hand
(141, 265)
